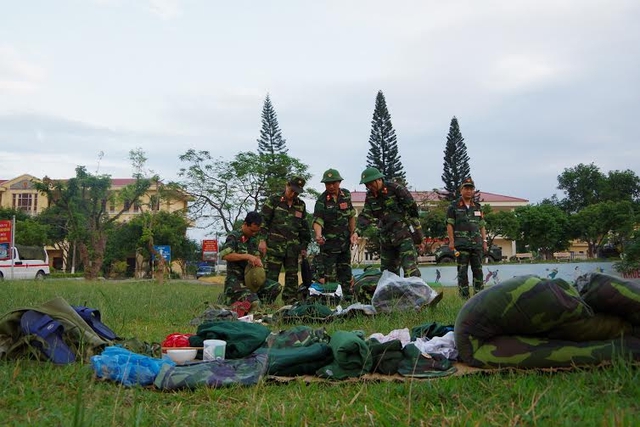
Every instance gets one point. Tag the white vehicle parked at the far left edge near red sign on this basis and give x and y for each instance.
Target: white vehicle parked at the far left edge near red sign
(29, 262)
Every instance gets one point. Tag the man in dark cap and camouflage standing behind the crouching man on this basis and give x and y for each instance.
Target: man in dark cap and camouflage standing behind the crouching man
(285, 236)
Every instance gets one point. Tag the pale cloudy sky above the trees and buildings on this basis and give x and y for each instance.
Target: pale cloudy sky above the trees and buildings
(537, 86)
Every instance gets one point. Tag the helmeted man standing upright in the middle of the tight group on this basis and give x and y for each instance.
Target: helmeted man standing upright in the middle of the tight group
(334, 221)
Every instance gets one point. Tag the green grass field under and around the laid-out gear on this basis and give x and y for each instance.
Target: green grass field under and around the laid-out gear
(43, 394)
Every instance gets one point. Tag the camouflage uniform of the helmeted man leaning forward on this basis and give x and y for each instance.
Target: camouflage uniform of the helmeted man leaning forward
(393, 210)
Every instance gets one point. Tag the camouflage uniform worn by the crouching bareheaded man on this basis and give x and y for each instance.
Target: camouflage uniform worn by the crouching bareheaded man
(234, 288)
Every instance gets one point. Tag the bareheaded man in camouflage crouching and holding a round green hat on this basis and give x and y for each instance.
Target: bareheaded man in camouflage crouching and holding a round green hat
(239, 250)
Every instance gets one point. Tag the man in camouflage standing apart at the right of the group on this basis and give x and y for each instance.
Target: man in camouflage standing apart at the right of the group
(467, 235)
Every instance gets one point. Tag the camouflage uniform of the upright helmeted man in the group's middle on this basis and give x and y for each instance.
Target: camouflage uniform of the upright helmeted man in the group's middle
(334, 261)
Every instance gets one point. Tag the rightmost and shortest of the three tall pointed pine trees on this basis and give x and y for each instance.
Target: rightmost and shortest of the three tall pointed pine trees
(456, 161)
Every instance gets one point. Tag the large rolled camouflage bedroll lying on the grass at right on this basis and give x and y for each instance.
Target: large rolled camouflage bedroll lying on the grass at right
(530, 322)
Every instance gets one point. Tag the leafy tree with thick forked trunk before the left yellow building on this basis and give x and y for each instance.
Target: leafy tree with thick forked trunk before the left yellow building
(83, 199)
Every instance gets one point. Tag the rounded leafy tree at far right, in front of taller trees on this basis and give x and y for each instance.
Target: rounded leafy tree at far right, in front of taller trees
(595, 223)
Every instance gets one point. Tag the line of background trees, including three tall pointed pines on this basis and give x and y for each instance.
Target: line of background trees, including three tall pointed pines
(598, 208)
